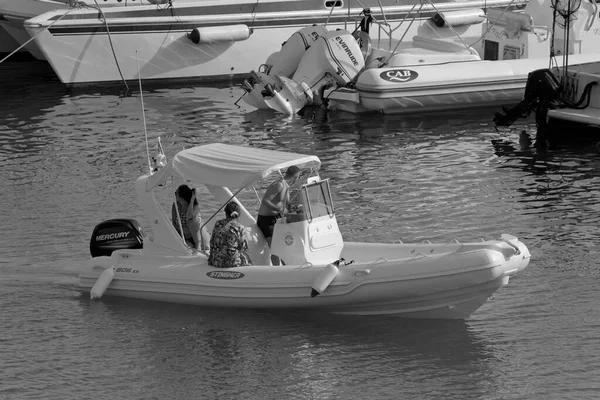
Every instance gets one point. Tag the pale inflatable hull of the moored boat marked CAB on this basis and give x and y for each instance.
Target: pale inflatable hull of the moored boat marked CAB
(443, 87)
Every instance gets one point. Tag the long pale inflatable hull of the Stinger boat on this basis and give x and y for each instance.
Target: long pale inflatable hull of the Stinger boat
(450, 285)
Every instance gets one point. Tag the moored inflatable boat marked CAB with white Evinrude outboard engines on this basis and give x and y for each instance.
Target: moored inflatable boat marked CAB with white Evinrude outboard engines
(463, 59)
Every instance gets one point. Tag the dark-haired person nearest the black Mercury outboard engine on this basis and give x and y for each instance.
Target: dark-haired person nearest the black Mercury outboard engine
(186, 217)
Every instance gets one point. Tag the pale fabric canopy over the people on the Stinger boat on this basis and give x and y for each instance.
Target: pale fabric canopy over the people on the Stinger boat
(230, 166)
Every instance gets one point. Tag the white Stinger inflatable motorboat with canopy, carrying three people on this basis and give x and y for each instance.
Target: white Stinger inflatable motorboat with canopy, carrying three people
(322, 272)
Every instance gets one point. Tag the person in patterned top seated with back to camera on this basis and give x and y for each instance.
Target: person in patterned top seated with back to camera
(229, 243)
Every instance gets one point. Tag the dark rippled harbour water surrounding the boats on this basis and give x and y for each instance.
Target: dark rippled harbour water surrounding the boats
(69, 161)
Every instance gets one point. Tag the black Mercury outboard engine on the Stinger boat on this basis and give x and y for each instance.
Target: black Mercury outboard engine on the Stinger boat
(116, 234)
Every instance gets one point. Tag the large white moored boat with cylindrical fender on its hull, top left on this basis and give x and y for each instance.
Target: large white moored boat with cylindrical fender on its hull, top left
(199, 40)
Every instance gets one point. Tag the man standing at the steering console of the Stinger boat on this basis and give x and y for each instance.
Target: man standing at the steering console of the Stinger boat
(274, 204)
